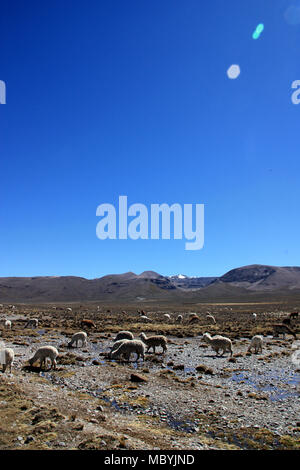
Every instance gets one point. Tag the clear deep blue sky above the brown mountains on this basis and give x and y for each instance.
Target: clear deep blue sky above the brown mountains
(109, 98)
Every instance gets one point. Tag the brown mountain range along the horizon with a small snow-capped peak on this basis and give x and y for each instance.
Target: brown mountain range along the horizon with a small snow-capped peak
(245, 283)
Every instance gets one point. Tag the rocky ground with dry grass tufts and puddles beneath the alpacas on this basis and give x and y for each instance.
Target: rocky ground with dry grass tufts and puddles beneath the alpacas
(186, 398)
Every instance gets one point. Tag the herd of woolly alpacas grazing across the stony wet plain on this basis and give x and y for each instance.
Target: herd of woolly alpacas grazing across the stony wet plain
(124, 343)
